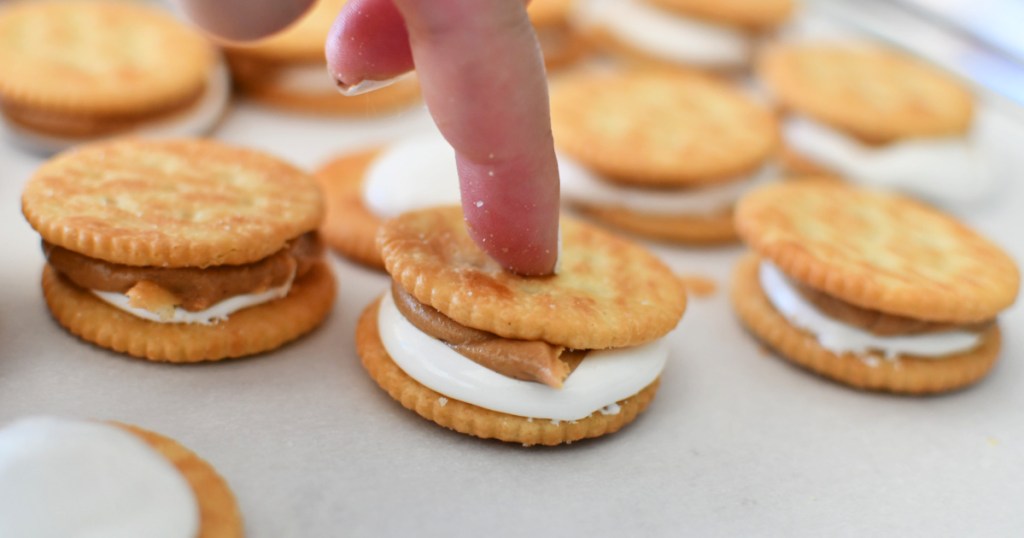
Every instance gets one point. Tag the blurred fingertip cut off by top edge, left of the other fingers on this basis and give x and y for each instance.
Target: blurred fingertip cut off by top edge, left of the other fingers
(235, 21)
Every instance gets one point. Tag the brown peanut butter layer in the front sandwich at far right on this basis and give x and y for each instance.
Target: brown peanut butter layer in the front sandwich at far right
(876, 322)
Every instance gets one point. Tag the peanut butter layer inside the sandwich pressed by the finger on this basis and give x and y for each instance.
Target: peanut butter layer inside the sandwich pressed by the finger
(529, 361)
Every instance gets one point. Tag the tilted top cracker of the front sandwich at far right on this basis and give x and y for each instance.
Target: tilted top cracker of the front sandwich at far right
(878, 252)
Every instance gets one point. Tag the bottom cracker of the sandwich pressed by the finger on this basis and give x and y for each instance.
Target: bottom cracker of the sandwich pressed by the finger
(477, 422)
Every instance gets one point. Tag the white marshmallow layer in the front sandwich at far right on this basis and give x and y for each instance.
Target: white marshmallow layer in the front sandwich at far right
(840, 339)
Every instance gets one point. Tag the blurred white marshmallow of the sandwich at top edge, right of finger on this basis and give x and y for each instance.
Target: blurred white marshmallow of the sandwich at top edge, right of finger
(666, 35)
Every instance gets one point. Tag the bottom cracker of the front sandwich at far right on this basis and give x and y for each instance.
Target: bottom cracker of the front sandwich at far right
(905, 375)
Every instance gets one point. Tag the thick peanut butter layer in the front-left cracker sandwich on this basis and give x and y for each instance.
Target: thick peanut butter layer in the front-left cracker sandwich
(194, 289)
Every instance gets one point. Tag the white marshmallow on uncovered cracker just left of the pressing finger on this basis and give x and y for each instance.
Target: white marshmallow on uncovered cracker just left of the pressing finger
(415, 174)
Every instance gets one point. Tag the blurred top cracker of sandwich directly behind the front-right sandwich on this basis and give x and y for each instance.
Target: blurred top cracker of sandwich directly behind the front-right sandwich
(875, 95)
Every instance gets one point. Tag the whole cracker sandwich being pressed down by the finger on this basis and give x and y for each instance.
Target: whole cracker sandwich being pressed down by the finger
(544, 360)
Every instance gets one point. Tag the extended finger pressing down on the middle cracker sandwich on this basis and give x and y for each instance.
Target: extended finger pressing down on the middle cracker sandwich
(483, 77)
